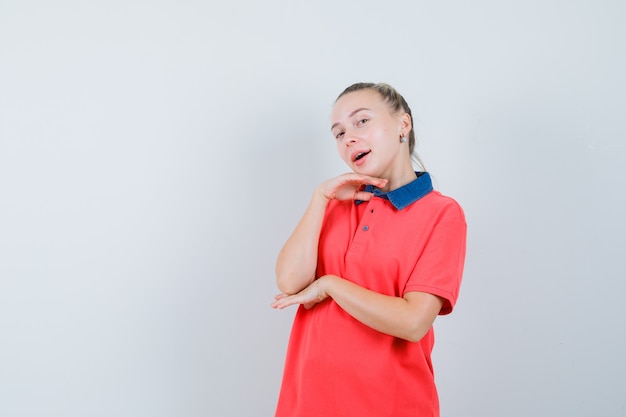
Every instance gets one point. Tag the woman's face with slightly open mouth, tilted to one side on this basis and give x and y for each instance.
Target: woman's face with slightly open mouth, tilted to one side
(368, 134)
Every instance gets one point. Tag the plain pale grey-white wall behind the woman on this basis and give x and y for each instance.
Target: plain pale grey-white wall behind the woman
(154, 156)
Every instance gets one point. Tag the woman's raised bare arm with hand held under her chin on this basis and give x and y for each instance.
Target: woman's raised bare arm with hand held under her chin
(297, 260)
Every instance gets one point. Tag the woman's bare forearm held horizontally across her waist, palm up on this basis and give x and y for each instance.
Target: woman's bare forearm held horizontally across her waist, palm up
(408, 317)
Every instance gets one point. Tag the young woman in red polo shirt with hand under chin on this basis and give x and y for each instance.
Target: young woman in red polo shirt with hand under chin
(377, 255)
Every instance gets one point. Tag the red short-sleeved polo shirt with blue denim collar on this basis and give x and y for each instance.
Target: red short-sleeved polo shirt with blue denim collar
(409, 239)
